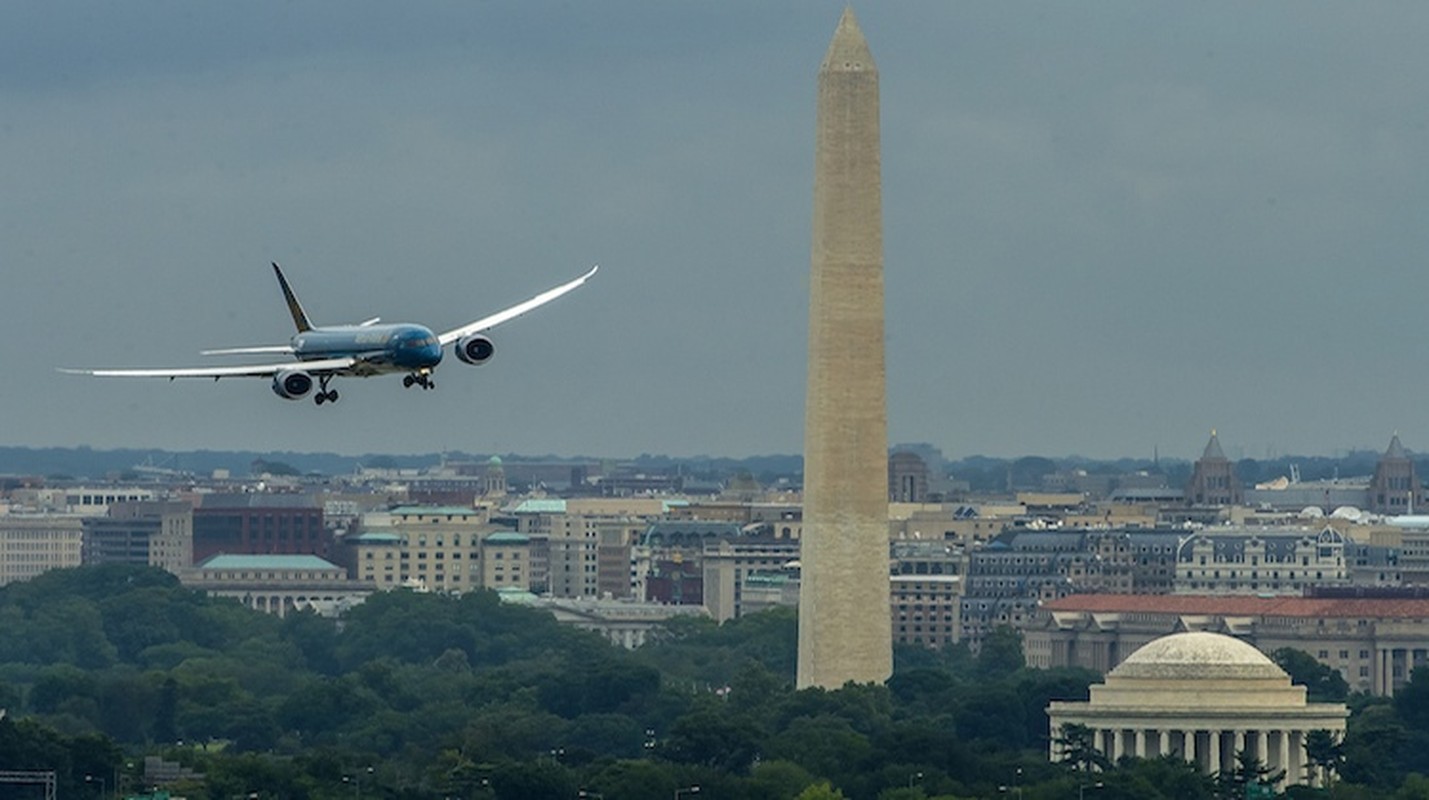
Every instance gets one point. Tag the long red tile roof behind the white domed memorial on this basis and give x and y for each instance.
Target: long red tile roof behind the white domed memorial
(1245, 606)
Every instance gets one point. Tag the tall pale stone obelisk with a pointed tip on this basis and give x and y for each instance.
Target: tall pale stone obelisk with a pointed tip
(844, 601)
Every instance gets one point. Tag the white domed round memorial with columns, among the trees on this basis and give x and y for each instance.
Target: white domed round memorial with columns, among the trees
(1203, 698)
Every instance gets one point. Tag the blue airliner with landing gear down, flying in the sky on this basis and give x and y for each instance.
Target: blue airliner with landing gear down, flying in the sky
(367, 349)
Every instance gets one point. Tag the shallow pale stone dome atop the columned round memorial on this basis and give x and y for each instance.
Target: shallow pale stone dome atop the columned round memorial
(1203, 656)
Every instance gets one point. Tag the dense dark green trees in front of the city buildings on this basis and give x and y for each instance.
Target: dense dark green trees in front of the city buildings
(432, 696)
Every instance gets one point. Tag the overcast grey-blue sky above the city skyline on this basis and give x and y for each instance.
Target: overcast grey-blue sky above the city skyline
(1108, 228)
